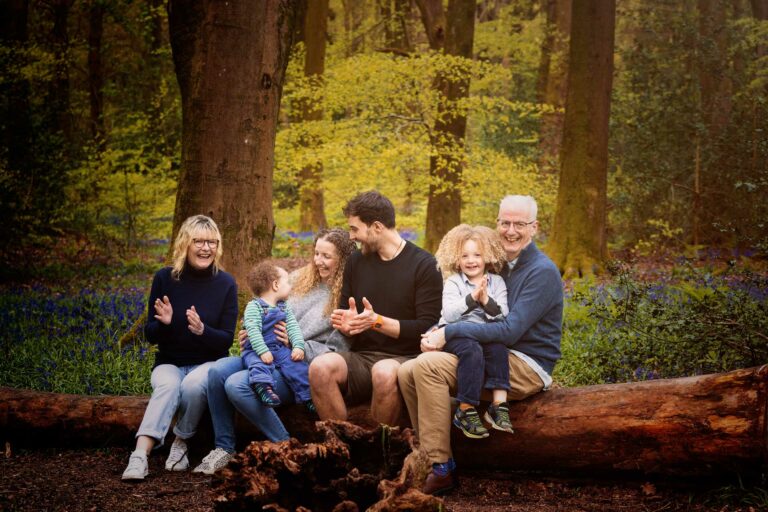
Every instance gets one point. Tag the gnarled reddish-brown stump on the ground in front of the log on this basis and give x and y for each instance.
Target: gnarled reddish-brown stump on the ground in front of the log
(346, 468)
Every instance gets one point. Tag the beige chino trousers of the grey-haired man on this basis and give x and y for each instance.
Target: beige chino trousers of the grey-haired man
(427, 384)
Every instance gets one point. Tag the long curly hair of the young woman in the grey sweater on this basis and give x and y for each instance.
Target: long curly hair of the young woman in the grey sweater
(308, 276)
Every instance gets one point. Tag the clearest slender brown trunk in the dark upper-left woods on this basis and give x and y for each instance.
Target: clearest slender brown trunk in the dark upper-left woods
(96, 71)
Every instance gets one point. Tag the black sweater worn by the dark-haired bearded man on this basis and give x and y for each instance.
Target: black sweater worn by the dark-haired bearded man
(408, 288)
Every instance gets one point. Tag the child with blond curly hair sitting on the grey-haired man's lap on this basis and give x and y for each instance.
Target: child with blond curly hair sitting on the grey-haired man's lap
(467, 257)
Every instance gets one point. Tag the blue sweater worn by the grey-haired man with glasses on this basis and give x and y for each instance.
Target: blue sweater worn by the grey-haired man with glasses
(534, 324)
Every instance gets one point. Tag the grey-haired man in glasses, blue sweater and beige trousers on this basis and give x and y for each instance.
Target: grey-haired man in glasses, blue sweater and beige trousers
(532, 331)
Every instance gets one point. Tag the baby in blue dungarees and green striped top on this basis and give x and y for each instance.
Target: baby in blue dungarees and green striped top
(270, 286)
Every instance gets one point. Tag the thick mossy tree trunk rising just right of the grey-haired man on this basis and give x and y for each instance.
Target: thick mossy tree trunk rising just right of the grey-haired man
(578, 243)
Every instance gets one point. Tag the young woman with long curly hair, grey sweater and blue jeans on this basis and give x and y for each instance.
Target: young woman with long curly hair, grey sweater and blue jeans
(316, 292)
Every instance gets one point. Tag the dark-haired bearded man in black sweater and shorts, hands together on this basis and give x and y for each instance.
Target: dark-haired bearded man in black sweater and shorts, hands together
(391, 294)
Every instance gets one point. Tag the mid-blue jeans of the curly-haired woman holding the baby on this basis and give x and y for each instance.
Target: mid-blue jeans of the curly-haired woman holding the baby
(228, 390)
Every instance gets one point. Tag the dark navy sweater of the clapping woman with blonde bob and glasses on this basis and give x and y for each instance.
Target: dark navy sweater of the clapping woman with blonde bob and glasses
(215, 300)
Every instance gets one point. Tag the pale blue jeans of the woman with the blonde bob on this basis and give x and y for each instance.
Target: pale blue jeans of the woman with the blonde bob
(182, 388)
